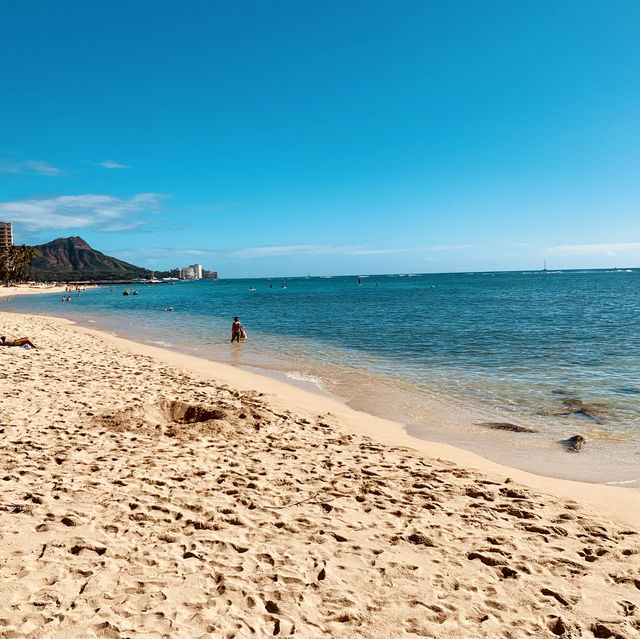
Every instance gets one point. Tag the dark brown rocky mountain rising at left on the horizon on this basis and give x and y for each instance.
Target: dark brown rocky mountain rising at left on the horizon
(71, 258)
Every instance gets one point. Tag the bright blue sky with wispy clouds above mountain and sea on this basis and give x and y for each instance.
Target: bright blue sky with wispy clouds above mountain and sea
(333, 137)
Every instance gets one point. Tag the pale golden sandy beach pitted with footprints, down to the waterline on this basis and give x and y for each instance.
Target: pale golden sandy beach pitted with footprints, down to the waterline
(146, 493)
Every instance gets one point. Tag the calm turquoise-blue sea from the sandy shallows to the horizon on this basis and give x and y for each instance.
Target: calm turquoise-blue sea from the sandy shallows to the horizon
(447, 354)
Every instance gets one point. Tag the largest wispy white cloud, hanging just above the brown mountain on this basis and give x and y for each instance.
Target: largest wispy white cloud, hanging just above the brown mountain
(100, 212)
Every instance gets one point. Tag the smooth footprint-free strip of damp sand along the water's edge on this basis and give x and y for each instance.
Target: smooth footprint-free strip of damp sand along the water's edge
(618, 501)
